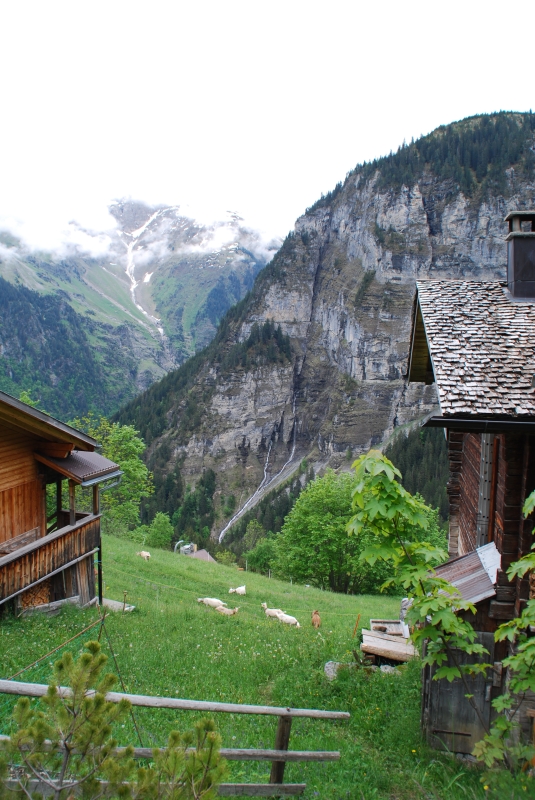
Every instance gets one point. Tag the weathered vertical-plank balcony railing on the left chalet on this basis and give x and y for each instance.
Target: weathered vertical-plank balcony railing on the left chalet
(39, 559)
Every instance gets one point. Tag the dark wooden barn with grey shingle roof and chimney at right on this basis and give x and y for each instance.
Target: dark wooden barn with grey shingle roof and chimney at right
(476, 341)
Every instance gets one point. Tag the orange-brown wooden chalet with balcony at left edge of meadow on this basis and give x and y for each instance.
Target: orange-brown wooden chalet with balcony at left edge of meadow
(47, 555)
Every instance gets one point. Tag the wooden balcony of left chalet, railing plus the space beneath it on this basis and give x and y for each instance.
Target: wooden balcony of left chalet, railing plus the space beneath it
(60, 563)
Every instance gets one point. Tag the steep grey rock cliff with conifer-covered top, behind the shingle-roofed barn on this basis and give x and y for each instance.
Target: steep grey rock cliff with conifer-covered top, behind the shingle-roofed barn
(341, 287)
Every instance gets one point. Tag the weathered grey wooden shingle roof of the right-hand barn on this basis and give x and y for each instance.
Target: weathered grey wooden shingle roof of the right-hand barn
(480, 346)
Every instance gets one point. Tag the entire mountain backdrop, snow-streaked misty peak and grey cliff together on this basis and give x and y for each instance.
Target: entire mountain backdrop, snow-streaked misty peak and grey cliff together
(308, 364)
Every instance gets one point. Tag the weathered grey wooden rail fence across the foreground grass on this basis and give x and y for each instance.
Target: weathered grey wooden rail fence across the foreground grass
(279, 755)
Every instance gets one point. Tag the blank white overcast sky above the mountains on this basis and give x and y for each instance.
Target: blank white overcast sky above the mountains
(256, 107)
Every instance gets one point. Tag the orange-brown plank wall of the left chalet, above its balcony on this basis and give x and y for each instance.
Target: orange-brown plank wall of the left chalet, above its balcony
(22, 497)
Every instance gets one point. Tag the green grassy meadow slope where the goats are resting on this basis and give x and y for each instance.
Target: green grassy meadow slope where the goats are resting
(173, 646)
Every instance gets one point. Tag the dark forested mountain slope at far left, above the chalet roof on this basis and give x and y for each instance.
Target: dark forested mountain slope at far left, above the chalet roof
(71, 364)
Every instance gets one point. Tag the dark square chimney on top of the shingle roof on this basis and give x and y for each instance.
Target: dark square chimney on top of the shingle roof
(521, 254)
